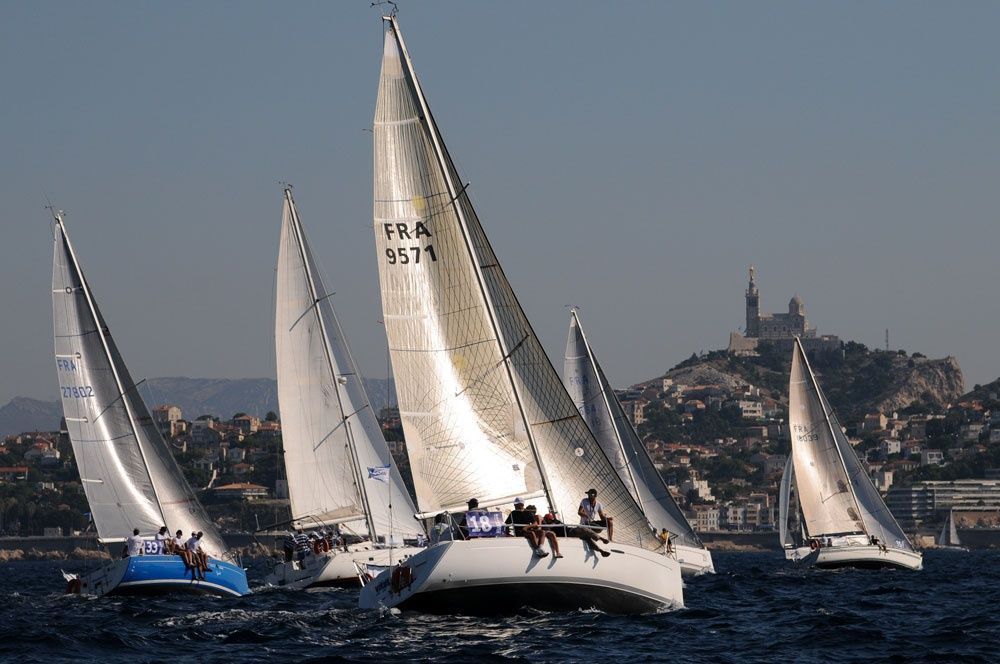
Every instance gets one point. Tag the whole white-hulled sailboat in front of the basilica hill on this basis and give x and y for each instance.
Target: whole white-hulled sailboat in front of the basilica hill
(845, 521)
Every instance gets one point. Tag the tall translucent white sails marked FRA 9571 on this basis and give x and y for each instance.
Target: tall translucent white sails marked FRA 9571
(484, 412)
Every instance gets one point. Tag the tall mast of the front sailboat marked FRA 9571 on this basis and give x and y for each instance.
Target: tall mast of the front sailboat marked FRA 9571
(454, 193)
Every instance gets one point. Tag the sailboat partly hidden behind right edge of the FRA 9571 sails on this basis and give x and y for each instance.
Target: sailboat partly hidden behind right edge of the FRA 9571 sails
(599, 406)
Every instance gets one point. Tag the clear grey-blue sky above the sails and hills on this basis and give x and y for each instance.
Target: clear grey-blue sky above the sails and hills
(629, 158)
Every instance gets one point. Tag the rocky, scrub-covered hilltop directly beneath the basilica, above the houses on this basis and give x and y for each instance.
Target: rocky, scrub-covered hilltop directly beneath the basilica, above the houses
(856, 379)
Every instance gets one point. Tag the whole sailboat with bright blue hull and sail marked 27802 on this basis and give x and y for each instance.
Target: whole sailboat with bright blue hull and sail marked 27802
(128, 473)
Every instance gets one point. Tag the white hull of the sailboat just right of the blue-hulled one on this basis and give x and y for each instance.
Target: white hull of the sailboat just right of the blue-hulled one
(334, 568)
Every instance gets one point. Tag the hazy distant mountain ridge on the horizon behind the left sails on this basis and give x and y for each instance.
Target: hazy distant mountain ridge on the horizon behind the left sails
(222, 397)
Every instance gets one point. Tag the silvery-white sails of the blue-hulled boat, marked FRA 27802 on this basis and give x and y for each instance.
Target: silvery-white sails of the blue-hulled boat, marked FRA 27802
(128, 473)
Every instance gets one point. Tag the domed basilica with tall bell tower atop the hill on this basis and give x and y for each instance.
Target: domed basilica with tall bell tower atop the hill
(777, 327)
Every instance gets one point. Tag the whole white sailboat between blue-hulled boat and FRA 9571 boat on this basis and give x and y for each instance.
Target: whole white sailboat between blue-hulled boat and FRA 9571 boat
(339, 468)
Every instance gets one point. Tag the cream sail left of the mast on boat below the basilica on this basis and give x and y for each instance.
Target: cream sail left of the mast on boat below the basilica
(824, 489)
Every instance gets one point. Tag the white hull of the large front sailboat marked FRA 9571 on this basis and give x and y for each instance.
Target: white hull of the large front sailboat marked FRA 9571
(501, 575)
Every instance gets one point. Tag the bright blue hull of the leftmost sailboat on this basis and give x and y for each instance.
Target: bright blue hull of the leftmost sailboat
(157, 575)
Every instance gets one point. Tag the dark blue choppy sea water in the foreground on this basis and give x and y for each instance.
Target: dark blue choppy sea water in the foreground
(758, 608)
